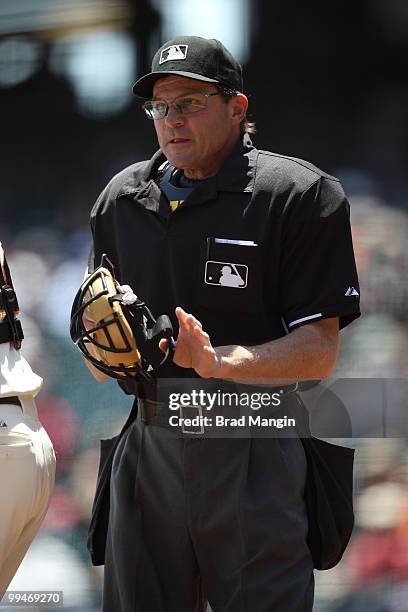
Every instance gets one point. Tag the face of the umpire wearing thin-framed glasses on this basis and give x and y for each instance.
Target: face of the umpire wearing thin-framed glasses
(198, 142)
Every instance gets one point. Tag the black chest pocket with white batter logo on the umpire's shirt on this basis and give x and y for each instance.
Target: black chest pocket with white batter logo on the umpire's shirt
(229, 276)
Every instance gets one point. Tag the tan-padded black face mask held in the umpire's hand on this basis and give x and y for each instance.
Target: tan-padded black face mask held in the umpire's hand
(124, 338)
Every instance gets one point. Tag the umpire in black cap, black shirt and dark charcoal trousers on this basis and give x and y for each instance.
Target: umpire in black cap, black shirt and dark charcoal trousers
(257, 246)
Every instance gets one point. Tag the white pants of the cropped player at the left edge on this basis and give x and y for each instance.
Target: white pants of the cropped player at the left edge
(27, 472)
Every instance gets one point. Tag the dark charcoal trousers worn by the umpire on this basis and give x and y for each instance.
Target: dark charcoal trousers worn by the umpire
(223, 515)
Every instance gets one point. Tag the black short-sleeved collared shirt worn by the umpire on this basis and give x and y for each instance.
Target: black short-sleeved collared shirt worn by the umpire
(254, 252)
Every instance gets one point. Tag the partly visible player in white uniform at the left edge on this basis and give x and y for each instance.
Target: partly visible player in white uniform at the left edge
(27, 459)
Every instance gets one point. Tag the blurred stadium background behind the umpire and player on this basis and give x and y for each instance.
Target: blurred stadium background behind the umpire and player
(327, 82)
